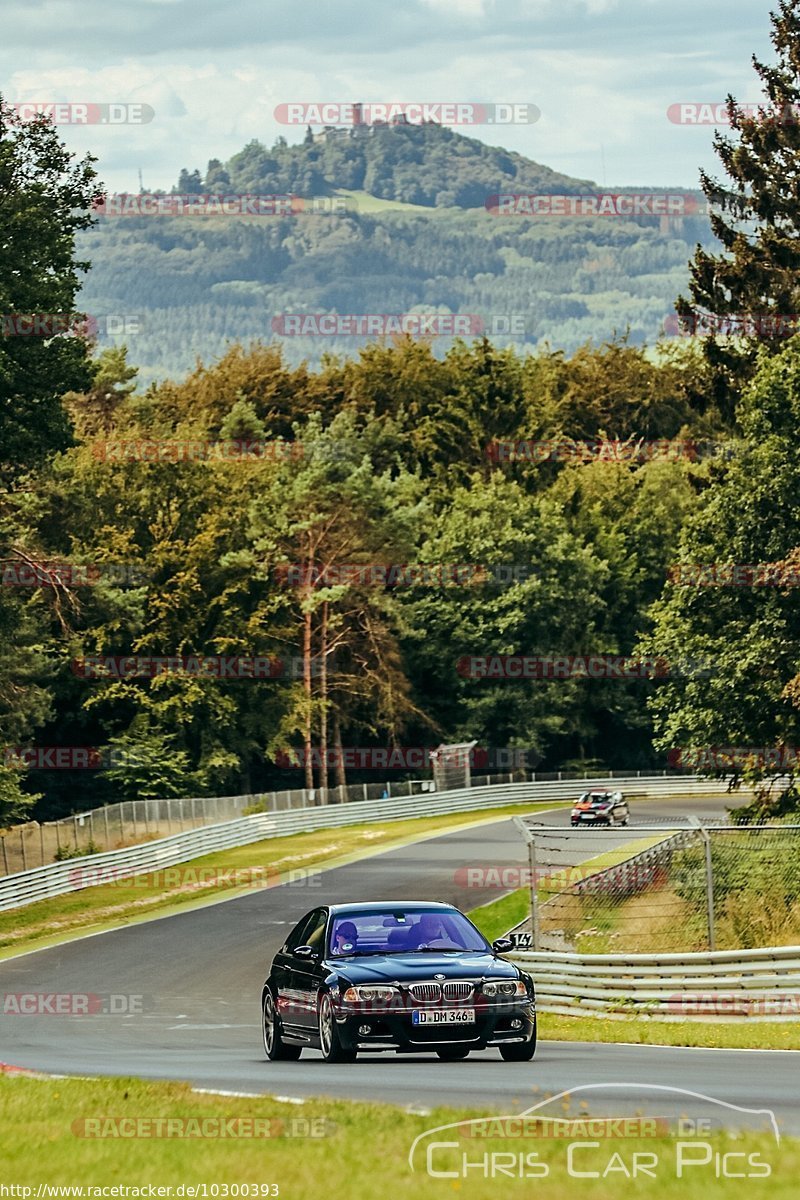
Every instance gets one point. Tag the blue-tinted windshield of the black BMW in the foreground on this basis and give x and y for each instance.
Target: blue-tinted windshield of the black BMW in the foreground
(395, 932)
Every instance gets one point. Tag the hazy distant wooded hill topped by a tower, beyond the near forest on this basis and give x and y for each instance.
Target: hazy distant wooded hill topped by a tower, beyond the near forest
(199, 285)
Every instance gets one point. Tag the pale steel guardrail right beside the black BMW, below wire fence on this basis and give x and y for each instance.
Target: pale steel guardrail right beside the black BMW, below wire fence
(723, 986)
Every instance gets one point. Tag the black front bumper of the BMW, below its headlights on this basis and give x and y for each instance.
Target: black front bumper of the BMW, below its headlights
(394, 1030)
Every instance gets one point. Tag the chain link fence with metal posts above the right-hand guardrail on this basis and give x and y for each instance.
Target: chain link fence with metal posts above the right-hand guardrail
(663, 889)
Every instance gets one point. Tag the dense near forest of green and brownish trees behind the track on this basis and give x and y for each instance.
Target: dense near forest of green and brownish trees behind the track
(136, 524)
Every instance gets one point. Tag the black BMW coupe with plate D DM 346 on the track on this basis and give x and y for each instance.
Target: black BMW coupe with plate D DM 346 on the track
(407, 977)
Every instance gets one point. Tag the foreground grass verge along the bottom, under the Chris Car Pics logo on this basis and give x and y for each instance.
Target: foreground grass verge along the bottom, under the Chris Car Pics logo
(364, 1150)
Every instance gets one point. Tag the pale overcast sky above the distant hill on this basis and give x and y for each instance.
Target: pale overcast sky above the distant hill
(603, 73)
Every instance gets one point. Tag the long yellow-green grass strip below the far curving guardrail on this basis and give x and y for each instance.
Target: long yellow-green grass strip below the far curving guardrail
(213, 878)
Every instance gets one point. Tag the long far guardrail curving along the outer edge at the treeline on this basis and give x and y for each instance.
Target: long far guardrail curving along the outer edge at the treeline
(58, 879)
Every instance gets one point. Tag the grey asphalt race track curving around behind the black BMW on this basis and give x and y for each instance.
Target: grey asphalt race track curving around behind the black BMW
(200, 975)
